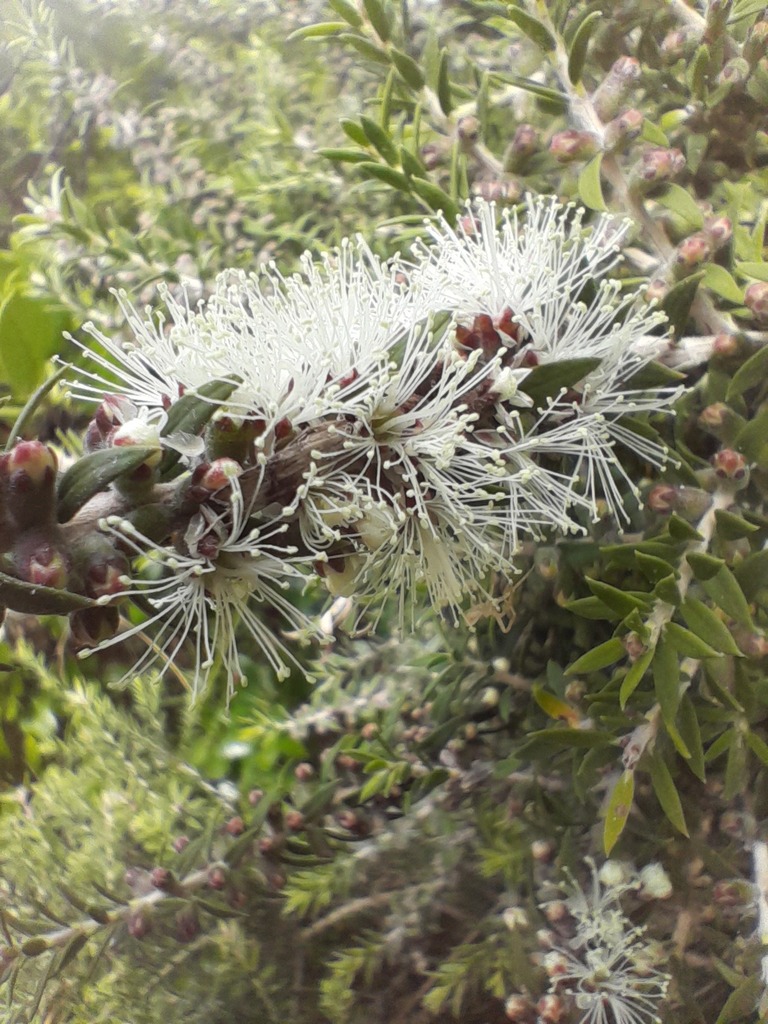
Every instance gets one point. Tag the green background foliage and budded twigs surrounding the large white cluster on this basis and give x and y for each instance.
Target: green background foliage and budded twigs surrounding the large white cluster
(389, 843)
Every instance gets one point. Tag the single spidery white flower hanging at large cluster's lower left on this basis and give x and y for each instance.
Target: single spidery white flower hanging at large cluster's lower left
(203, 598)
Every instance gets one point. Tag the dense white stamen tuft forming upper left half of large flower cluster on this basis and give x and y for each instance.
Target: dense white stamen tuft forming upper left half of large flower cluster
(298, 348)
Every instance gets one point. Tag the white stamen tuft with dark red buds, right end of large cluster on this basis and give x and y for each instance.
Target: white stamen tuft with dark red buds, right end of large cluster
(534, 293)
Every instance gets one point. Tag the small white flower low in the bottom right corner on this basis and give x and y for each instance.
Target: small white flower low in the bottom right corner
(608, 967)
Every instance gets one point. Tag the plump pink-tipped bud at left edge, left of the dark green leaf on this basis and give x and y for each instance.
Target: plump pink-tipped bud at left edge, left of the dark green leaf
(30, 472)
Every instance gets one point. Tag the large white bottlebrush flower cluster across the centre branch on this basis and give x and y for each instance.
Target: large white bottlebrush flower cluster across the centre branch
(385, 426)
